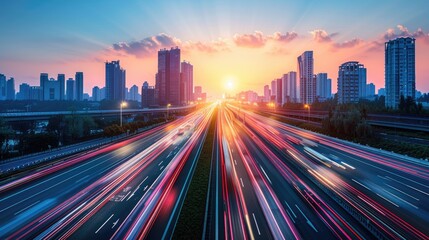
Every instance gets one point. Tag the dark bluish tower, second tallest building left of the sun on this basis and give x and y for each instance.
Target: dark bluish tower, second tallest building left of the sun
(115, 81)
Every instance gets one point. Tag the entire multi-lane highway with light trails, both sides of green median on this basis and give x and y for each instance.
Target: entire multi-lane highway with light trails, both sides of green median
(268, 180)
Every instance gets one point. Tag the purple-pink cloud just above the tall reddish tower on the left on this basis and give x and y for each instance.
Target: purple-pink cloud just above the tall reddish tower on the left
(147, 46)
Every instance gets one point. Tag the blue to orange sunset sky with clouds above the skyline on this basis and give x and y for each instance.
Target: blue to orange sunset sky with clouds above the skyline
(247, 42)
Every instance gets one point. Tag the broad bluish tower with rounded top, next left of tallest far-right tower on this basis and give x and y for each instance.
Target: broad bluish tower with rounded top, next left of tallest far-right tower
(350, 77)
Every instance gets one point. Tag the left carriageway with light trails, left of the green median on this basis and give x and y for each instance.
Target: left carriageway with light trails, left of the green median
(58, 201)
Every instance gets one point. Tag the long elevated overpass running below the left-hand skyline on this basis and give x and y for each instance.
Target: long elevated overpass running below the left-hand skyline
(39, 116)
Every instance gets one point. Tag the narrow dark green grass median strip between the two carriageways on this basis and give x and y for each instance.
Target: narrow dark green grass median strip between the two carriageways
(191, 219)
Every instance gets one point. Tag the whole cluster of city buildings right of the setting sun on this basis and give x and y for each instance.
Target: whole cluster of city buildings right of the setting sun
(306, 87)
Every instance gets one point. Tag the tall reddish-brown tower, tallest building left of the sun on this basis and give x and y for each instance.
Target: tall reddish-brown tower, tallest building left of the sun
(168, 77)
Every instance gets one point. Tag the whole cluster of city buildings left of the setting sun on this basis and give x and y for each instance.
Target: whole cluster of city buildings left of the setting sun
(174, 85)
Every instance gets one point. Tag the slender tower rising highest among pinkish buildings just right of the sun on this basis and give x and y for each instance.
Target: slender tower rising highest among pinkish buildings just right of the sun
(306, 79)
